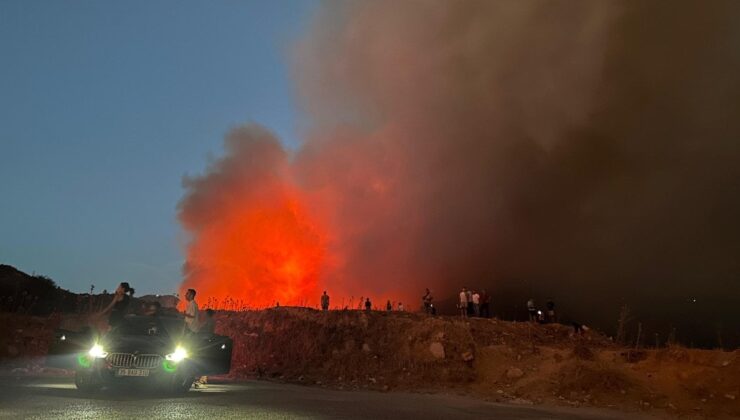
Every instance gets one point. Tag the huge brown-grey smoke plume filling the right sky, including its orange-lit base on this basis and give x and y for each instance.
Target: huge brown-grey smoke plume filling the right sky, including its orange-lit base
(568, 148)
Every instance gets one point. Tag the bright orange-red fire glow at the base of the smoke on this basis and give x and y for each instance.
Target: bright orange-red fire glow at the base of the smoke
(256, 254)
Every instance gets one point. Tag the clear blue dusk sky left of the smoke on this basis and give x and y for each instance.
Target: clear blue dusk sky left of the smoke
(106, 105)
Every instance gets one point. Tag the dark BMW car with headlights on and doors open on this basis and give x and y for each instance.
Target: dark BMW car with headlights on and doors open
(141, 351)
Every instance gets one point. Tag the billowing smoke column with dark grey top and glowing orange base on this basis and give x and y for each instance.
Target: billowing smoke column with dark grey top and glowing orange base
(253, 243)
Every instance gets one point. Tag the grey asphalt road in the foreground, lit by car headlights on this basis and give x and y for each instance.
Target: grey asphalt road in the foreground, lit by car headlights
(45, 398)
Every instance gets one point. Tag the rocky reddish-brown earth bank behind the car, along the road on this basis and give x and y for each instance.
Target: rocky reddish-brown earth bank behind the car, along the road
(490, 359)
